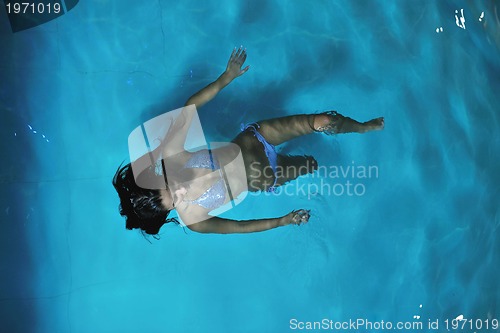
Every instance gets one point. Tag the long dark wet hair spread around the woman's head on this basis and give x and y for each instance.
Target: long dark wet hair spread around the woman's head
(141, 207)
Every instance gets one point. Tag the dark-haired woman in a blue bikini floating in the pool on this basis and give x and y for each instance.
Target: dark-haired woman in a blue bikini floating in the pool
(148, 209)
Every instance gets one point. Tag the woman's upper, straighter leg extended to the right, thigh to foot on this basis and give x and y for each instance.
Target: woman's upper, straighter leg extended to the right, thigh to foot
(278, 130)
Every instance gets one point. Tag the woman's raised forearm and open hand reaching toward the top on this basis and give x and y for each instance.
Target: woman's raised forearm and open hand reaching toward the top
(233, 70)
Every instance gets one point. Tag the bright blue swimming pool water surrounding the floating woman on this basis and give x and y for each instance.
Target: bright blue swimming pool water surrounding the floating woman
(422, 240)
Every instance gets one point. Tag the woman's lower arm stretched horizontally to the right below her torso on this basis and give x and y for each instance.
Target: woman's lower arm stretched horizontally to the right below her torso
(217, 225)
